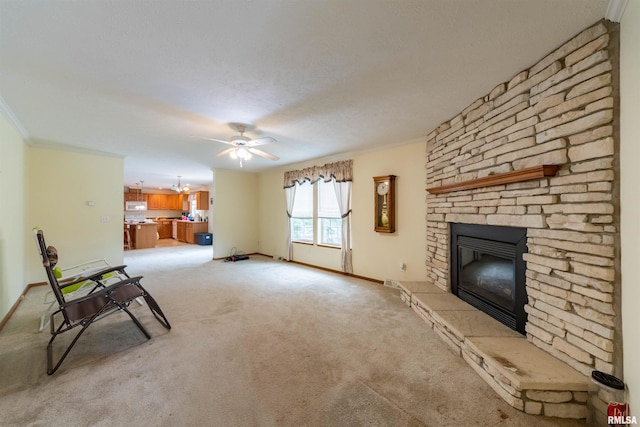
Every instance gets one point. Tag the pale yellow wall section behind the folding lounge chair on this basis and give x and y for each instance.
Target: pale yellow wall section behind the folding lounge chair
(61, 183)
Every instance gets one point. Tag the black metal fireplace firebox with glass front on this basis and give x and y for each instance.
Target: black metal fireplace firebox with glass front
(488, 270)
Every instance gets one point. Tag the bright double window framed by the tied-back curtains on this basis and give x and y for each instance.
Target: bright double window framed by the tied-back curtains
(316, 208)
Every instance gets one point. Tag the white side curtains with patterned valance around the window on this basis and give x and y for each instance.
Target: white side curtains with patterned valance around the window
(342, 175)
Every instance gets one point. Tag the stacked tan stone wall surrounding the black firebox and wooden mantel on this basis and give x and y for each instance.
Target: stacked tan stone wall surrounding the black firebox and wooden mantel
(561, 111)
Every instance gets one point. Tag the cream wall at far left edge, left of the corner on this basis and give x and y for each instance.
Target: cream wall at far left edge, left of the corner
(12, 209)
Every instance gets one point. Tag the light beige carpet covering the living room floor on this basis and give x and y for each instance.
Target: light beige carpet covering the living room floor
(254, 343)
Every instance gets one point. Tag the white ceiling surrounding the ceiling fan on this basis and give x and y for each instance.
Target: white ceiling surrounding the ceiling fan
(140, 79)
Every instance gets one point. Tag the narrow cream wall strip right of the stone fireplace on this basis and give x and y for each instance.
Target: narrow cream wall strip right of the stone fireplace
(630, 196)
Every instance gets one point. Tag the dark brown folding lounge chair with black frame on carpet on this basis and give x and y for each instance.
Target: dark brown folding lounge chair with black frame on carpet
(102, 299)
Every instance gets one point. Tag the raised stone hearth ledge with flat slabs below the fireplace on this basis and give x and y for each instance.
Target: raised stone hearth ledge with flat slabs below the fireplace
(525, 376)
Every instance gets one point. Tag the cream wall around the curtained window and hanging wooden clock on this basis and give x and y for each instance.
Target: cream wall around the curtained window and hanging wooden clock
(375, 255)
